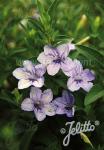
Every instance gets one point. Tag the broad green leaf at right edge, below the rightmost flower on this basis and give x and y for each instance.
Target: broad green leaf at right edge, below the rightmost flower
(95, 93)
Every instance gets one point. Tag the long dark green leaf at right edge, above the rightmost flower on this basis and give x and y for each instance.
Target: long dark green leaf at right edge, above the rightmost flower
(91, 54)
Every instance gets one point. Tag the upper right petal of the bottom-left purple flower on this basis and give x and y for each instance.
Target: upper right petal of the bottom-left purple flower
(47, 96)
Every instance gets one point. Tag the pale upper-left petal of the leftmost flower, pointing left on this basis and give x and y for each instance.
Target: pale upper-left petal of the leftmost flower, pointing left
(19, 73)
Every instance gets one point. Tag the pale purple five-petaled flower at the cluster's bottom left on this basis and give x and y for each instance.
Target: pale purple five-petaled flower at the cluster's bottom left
(40, 103)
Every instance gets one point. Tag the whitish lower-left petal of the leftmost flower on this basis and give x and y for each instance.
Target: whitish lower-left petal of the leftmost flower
(23, 83)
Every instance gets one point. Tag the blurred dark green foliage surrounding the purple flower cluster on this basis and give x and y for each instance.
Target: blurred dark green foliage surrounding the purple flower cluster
(23, 36)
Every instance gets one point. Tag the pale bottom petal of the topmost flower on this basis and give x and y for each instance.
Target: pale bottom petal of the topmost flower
(53, 68)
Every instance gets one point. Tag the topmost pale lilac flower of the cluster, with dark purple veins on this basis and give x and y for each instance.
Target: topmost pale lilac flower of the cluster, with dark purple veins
(56, 58)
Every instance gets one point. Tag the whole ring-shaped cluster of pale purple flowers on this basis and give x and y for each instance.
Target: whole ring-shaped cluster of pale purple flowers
(52, 59)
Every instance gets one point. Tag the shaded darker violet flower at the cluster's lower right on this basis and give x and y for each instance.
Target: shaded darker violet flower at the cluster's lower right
(64, 104)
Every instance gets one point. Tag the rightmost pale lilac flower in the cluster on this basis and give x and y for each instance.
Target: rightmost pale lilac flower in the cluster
(79, 77)
